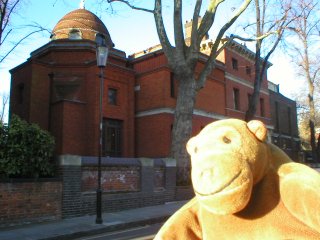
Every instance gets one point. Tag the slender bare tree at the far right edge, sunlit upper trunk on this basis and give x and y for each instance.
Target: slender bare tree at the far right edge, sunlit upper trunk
(305, 48)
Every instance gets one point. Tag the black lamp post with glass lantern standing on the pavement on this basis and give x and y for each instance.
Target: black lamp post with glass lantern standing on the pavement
(102, 50)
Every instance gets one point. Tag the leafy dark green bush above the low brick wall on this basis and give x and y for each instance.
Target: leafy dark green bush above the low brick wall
(25, 150)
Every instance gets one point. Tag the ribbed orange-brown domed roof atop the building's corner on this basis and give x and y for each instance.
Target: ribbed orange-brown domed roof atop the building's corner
(79, 24)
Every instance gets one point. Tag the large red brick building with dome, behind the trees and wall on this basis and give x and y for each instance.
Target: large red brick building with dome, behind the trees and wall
(58, 88)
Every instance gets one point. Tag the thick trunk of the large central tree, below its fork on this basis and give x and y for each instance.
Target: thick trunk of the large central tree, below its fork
(182, 128)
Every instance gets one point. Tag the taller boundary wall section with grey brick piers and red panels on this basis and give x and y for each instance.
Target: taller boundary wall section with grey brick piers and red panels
(132, 183)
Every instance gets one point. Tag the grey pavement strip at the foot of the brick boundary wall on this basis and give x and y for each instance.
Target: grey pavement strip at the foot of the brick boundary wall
(83, 226)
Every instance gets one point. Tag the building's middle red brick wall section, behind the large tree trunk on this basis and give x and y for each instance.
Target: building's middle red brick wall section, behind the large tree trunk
(153, 132)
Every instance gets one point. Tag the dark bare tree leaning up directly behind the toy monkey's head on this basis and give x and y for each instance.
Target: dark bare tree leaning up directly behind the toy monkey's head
(272, 19)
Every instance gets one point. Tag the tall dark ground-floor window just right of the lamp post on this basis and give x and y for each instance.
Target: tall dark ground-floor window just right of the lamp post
(111, 137)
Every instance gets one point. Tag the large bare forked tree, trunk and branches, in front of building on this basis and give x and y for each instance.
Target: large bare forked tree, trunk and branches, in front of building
(182, 60)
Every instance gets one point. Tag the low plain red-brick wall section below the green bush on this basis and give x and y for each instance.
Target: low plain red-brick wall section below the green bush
(24, 201)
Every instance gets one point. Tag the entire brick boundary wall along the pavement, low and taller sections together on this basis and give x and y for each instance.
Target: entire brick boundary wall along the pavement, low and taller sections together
(126, 182)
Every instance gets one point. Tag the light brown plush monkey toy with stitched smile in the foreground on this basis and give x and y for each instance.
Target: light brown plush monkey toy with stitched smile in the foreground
(245, 188)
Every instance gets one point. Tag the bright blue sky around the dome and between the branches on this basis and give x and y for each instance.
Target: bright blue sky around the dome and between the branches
(131, 31)
